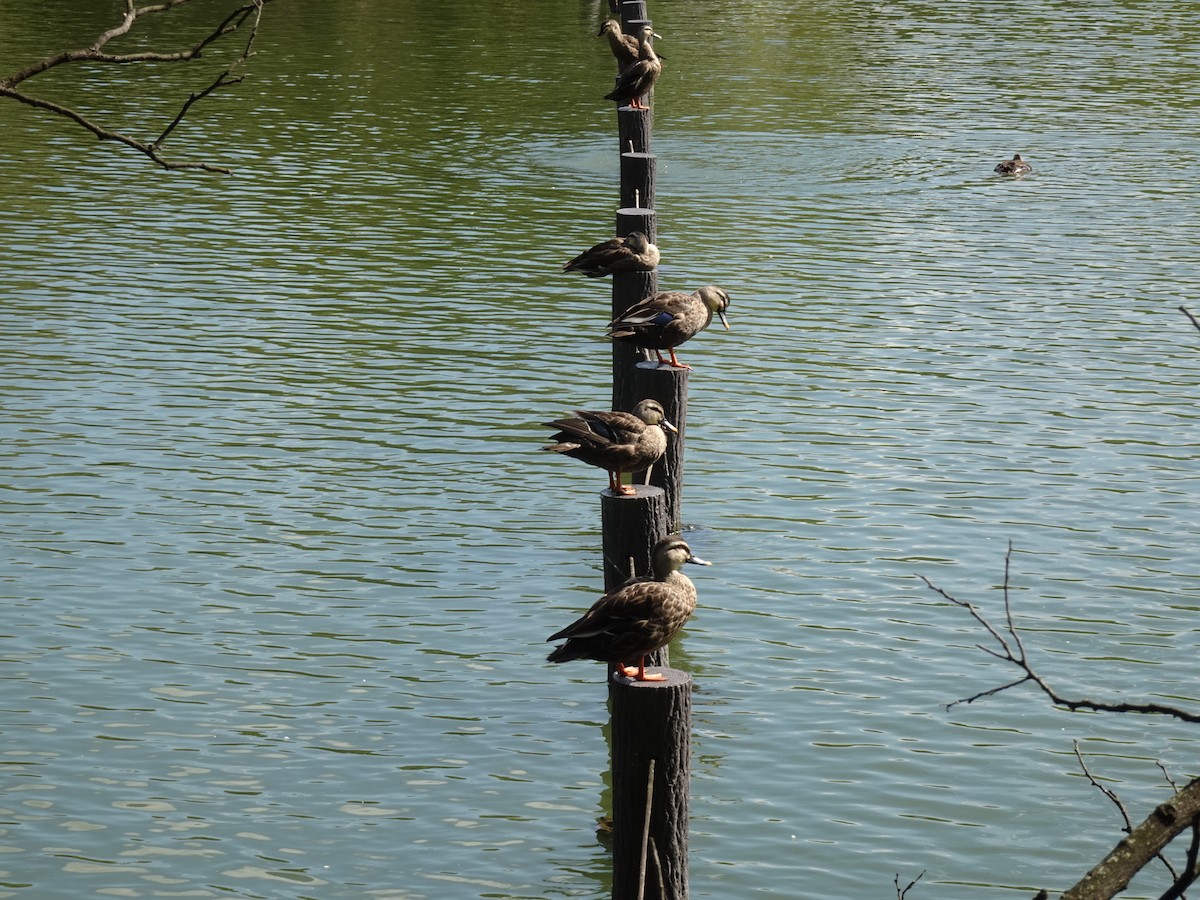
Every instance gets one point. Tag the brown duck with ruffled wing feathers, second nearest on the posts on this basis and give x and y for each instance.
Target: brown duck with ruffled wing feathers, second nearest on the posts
(616, 442)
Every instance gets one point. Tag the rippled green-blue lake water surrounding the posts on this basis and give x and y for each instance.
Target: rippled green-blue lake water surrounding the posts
(283, 553)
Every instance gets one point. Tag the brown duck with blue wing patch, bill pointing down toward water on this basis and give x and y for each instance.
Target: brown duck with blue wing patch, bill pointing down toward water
(669, 319)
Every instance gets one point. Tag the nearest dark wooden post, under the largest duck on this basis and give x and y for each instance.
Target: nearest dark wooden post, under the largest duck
(651, 723)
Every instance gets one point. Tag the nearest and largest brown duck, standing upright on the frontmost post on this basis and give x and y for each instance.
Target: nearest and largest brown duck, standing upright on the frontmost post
(641, 616)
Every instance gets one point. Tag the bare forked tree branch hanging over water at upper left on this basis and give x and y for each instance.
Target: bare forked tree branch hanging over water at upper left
(248, 15)
